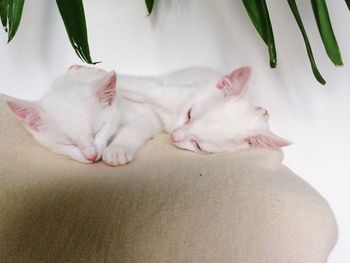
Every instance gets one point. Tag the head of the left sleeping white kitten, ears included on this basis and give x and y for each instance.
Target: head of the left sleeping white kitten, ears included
(77, 117)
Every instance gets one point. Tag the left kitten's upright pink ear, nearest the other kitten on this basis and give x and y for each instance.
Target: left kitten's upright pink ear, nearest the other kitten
(105, 88)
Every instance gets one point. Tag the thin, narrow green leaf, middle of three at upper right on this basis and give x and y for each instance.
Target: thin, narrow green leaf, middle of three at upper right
(297, 17)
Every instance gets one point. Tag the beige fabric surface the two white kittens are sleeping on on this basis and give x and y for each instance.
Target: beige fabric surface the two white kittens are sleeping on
(167, 206)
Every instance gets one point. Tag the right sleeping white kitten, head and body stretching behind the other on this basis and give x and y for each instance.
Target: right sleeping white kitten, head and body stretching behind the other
(204, 111)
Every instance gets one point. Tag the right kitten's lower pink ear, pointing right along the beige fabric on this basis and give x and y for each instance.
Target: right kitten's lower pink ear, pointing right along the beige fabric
(266, 140)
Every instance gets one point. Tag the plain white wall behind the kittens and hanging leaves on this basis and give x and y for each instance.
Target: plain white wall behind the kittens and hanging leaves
(216, 34)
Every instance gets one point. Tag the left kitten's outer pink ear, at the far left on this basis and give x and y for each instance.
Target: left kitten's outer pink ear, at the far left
(30, 115)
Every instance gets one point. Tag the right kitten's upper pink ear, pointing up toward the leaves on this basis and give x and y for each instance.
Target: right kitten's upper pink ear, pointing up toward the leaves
(234, 85)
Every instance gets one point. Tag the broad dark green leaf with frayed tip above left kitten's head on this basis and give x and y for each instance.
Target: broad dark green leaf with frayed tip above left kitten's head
(72, 13)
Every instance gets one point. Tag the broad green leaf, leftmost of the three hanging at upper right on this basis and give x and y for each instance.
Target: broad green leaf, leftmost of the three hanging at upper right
(259, 15)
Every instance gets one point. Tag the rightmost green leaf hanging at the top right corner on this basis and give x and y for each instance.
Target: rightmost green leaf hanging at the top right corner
(325, 28)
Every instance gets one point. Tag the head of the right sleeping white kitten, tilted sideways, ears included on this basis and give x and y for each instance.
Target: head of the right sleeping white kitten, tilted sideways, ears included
(220, 120)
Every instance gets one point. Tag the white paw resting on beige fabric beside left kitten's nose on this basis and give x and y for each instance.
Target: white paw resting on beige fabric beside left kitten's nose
(115, 155)
